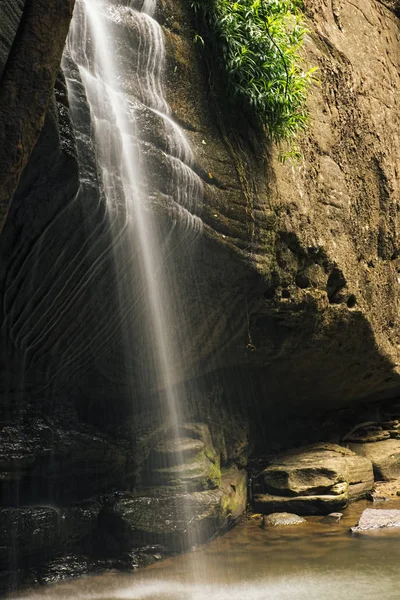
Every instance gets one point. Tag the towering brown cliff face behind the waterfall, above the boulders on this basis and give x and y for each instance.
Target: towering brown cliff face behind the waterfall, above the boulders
(296, 267)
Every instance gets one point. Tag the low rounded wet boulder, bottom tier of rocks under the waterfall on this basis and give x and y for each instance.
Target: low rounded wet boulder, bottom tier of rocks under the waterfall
(176, 520)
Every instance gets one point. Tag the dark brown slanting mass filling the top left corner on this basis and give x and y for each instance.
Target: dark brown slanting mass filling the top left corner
(30, 53)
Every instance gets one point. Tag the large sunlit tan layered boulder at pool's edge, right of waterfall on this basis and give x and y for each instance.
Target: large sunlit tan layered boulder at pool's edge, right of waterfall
(317, 479)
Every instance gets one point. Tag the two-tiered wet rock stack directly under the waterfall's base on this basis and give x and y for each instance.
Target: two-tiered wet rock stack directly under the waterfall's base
(189, 498)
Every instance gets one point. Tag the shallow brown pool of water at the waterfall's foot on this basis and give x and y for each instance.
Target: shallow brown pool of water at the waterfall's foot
(313, 561)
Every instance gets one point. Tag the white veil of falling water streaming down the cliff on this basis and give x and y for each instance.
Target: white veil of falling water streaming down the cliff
(120, 55)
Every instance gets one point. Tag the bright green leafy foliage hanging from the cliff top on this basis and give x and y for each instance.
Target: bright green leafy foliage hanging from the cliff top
(256, 45)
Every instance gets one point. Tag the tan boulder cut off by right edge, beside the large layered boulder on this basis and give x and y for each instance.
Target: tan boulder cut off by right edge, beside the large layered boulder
(385, 457)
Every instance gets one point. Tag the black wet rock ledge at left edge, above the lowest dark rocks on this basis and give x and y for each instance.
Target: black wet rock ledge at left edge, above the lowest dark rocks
(48, 459)
